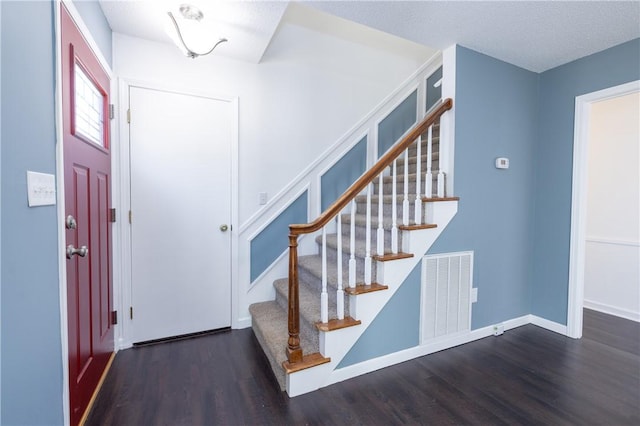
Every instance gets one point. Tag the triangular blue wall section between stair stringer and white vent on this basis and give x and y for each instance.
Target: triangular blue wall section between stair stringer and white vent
(397, 327)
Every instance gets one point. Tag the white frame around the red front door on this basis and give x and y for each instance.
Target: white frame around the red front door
(60, 195)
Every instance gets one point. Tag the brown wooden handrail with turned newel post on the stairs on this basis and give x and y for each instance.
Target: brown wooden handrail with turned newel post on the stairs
(294, 351)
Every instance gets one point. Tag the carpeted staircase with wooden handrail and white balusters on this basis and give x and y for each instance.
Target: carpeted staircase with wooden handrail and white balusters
(364, 253)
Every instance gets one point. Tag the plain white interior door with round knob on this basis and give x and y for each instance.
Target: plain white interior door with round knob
(180, 150)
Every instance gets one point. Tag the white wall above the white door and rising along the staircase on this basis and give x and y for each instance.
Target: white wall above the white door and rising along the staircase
(317, 78)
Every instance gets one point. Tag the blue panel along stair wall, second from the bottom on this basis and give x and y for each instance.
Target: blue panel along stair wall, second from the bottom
(343, 174)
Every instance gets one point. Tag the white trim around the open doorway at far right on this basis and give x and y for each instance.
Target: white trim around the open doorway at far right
(579, 200)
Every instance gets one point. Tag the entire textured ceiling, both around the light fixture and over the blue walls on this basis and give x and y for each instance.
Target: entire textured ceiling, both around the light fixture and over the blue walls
(536, 35)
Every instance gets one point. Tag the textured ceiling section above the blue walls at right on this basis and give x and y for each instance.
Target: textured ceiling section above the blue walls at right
(536, 35)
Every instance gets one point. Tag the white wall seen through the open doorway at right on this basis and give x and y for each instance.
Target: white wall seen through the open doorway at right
(612, 274)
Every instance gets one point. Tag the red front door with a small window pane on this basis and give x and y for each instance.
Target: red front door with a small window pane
(87, 170)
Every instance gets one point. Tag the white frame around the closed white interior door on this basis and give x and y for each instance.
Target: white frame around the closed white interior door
(122, 187)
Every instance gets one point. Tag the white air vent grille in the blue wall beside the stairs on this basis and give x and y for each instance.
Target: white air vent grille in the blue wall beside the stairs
(446, 294)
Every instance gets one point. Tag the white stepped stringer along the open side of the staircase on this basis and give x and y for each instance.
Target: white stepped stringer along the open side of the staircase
(366, 307)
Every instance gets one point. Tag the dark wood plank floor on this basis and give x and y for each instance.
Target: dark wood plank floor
(526, 376)
